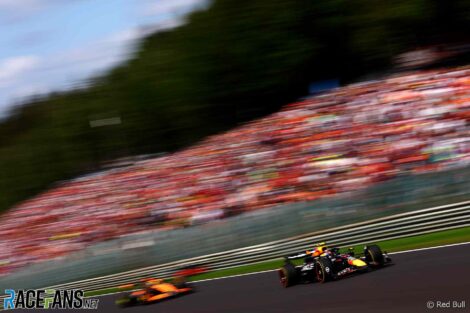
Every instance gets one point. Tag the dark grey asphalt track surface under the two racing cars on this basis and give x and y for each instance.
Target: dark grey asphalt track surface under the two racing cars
(407, 286)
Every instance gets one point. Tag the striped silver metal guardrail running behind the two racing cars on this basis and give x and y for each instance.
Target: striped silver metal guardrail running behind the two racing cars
(396, 226)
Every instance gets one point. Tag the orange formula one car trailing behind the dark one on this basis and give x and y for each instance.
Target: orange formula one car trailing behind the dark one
(151, 290)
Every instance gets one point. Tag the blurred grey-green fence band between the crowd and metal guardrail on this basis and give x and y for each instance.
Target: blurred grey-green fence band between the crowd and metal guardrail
(404, 194)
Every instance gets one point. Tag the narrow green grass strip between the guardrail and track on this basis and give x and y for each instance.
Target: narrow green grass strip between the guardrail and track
(394, 245)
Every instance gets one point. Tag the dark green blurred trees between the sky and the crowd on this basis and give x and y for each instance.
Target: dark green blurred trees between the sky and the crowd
(235, 61)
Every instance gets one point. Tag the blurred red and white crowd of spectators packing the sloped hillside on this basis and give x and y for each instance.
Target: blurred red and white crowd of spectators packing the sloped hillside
(337, 142)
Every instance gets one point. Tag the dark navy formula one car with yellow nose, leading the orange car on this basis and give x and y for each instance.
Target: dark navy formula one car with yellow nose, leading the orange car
(323, 263)
